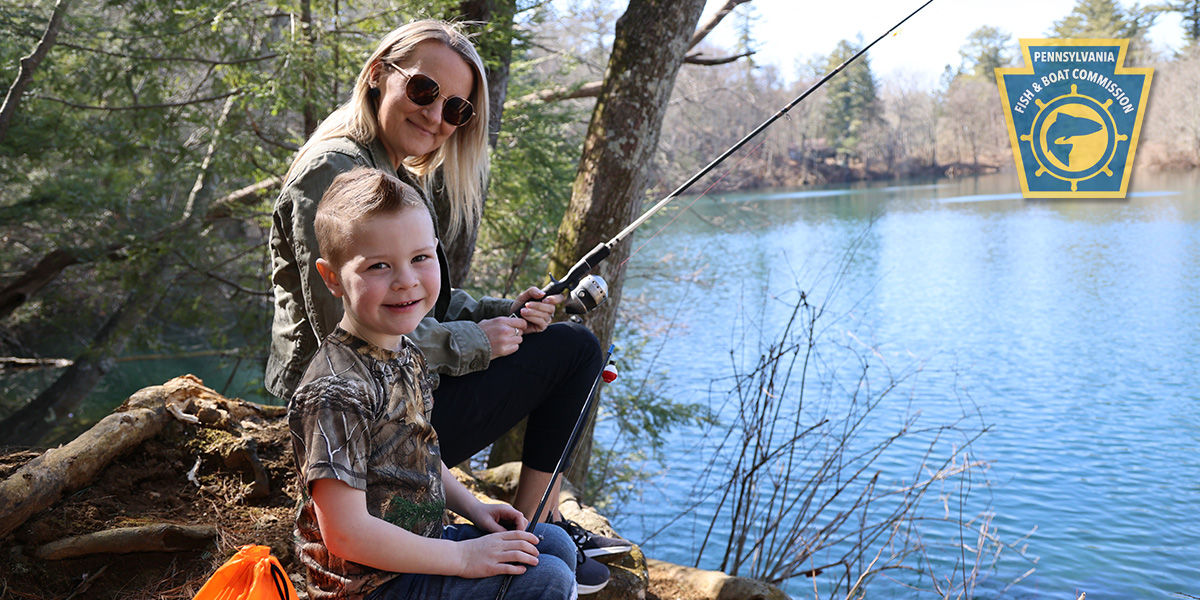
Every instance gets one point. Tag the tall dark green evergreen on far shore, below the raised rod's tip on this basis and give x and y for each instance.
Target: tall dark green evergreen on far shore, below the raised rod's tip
(850, 107)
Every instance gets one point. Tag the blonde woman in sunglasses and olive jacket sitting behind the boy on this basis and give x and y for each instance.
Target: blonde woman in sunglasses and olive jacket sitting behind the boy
(419, 110)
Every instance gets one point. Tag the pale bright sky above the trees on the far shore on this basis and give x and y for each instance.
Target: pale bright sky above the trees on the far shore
(793, 32)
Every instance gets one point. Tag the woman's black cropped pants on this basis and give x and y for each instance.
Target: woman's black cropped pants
(548, 380)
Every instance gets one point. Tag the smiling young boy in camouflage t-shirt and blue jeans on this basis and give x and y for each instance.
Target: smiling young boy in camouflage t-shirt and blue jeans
(375, 487)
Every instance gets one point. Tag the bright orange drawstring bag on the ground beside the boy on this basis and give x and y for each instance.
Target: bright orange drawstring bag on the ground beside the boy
(253, 574)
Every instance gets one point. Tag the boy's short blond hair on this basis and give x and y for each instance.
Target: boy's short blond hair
(353, 196)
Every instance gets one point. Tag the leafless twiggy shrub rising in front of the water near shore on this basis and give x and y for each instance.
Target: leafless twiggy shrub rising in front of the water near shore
(797, 490)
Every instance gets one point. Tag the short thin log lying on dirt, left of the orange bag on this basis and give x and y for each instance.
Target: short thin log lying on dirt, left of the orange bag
(124, 541)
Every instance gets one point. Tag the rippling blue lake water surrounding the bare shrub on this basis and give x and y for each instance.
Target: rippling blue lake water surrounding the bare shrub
(1073, 326)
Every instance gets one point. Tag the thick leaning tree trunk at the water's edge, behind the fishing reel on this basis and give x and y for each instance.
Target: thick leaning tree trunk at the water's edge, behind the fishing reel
(651, 40)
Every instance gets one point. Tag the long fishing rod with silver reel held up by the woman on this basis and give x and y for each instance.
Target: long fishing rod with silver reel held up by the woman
(590, 291)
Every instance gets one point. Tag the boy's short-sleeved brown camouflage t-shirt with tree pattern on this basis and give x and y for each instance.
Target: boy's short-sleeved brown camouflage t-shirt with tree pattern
(362, 416)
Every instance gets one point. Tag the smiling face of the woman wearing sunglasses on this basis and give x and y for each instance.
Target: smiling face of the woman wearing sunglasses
(407, 129)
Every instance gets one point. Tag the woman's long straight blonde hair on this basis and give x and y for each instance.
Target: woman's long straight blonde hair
(463, 158)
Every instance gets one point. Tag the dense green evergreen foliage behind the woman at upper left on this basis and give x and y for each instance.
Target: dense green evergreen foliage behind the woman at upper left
(142, 118)
